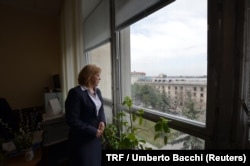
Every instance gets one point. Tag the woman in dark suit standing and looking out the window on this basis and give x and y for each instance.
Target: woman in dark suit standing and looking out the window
(86, 119)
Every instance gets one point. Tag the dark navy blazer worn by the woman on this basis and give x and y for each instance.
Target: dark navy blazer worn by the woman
(80, 113)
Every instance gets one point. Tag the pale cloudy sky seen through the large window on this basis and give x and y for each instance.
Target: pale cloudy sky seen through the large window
(171, 41)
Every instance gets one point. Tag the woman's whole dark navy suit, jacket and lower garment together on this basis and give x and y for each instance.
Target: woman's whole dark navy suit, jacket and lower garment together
(80, 113)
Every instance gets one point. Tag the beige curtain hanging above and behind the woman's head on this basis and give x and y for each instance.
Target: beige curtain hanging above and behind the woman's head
(71, 42)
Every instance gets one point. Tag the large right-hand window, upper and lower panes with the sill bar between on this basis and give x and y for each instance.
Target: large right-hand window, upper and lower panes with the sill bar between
(168, 69)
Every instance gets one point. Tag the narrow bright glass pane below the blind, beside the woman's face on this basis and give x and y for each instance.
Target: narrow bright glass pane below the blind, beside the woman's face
(101, 57)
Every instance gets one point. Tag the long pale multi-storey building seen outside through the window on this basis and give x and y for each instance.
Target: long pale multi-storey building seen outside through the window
(179, 90)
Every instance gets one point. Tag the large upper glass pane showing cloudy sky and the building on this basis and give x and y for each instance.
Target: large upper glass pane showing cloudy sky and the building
(169, 60)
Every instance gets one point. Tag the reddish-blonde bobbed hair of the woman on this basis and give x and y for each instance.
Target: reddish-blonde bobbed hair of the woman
(87, 72)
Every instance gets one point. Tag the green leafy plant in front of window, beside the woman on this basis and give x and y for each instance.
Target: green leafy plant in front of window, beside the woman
(127, 124)
